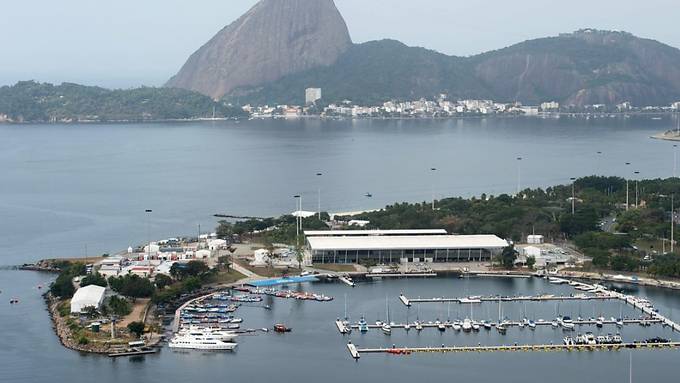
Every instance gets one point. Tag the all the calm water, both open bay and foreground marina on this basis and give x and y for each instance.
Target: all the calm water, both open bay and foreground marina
(76, 190)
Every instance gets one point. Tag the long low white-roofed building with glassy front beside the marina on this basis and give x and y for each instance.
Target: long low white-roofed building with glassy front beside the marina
(400, 246)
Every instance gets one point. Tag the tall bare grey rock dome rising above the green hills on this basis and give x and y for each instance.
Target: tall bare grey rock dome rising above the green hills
(273, 39)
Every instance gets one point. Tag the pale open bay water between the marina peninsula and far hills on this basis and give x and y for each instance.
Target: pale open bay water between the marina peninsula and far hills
(71, 190)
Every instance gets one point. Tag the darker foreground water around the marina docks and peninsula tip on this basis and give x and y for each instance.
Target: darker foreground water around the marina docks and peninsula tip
(315, 350)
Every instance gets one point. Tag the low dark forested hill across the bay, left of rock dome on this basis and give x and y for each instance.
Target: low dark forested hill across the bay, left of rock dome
(30, 101)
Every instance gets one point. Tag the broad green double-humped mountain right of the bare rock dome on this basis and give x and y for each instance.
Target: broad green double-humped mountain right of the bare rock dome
(584, 67)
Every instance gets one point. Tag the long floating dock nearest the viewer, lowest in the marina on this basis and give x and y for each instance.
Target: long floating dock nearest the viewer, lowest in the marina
(356, 352)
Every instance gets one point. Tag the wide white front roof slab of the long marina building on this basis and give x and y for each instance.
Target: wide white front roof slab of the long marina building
(407, 242)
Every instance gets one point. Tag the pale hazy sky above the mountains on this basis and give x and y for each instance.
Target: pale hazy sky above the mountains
(127, 43)
